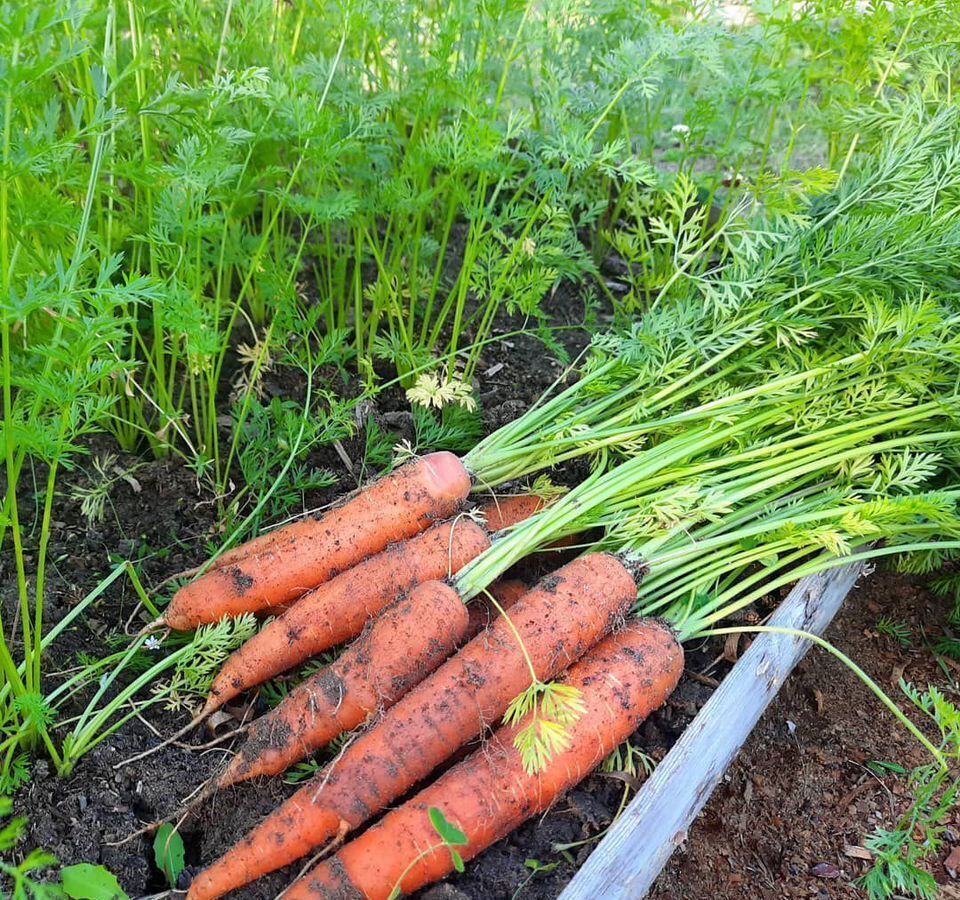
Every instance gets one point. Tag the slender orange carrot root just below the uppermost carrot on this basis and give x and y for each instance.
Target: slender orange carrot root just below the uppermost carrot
(337, 611)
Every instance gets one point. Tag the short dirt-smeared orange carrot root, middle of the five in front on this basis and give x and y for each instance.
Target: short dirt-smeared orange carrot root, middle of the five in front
(399, 648)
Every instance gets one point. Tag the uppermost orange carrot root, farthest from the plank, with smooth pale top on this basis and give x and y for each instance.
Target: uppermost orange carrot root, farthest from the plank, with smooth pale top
(307, 553)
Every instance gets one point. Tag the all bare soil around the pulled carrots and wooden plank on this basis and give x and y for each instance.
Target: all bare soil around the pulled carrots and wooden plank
(796, 798)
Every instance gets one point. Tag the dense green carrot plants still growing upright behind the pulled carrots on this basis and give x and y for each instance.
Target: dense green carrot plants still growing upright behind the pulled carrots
(261, 167)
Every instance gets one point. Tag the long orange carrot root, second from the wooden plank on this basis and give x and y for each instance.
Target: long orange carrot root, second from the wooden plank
(556, 622)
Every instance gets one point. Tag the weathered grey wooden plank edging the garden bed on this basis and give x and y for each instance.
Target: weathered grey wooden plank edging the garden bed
(655, 823)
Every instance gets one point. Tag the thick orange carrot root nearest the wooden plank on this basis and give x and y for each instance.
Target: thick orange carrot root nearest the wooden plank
(622, 680)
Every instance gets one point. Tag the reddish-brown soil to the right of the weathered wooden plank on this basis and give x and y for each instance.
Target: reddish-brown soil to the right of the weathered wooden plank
(792, 814)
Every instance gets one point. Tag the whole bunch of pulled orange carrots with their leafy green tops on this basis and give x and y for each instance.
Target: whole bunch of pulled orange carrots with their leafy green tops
(730, 454)
